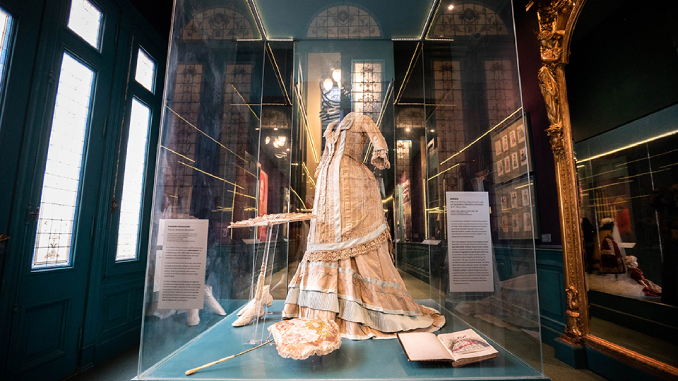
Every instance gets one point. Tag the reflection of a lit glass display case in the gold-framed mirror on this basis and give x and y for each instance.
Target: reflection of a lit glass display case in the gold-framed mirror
(627, 180)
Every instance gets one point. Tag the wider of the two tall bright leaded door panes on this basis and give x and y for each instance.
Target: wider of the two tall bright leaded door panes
(64, 163)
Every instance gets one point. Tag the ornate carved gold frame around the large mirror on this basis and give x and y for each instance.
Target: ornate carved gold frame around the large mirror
(557, 19)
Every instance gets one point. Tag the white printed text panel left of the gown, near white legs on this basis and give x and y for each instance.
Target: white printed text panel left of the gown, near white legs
(182, 278)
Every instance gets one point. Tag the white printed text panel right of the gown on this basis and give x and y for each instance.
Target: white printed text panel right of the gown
(469, 243)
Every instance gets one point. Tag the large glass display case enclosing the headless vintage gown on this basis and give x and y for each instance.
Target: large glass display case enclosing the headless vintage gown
(261, 100)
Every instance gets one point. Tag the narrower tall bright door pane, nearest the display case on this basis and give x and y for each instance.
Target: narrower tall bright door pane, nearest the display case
(133, 181)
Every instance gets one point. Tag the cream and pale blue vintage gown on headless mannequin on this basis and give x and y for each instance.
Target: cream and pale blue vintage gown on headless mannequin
(347, 273)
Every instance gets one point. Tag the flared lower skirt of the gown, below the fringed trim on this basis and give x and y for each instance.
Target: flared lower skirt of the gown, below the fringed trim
(364, 295)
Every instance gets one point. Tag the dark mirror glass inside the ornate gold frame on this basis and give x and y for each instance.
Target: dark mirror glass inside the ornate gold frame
(623, 107)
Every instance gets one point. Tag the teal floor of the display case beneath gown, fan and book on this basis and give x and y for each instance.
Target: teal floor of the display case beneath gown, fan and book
(355, 360)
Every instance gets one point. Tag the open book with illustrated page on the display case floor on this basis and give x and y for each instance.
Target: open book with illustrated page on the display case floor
(463, 347)
